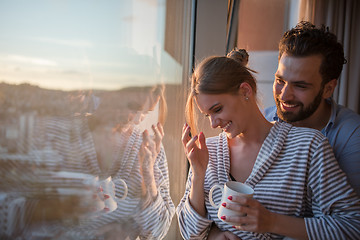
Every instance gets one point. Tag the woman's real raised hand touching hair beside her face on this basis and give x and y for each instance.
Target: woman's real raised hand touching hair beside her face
(197, 154)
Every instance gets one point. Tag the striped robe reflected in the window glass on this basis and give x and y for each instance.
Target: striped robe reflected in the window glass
(71, 144)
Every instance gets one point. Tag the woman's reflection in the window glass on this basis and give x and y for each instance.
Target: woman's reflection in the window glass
(106, 143)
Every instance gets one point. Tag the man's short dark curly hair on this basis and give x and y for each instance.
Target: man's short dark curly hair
(306, 40)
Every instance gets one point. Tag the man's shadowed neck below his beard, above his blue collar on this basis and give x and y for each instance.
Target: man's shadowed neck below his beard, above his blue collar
(319, 119)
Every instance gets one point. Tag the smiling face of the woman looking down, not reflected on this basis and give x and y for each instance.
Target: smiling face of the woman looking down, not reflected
(225, 111)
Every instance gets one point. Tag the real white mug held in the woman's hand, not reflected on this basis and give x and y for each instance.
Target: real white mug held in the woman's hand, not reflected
(231, 188)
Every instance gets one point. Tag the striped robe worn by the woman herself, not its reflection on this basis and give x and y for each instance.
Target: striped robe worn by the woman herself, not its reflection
(295, 174)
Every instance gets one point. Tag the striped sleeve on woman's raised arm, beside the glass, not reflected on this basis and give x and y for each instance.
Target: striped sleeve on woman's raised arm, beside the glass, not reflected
(192, 225)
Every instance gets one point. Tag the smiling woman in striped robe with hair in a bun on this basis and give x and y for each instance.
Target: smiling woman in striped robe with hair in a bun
(299, 190)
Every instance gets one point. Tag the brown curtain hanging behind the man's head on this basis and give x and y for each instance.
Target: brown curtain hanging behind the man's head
(343, 19)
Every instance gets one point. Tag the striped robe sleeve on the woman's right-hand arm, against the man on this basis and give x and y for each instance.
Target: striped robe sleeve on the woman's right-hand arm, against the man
(335, 205)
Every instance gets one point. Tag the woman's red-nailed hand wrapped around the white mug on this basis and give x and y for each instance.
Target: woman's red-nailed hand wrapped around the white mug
(256, 218)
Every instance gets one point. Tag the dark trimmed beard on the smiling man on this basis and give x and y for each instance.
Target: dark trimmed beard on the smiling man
(291, 117)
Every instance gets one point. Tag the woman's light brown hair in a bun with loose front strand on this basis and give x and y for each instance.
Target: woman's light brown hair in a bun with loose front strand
(218, 75)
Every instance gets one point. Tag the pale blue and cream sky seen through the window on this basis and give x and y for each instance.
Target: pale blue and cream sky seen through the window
(83, 44)
